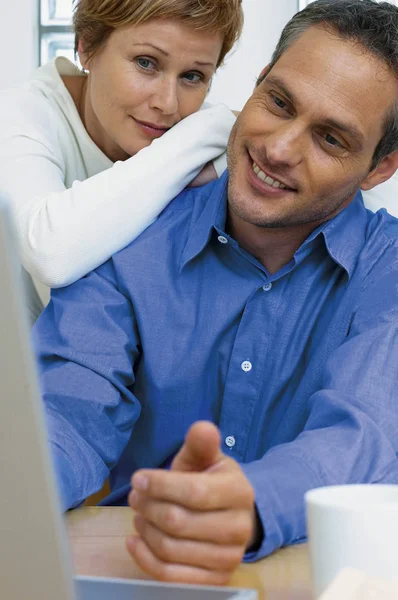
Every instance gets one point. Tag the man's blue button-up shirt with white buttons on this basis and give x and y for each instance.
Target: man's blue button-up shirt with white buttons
(299, 369)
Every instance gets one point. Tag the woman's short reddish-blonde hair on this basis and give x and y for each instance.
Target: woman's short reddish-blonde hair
(94, 20)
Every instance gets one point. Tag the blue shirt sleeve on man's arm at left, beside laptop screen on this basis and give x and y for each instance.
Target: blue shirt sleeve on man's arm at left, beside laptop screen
(86, 376)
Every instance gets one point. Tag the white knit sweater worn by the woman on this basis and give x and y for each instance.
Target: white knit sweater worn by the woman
(73, 207)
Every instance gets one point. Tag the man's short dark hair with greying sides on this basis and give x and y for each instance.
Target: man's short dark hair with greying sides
(368, 24)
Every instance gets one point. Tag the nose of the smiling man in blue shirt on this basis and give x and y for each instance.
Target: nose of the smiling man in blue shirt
(286, 145)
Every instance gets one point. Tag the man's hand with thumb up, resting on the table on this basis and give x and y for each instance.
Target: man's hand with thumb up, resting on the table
(195, 521)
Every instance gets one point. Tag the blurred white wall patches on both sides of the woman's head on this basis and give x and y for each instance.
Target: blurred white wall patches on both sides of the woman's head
(264, 20)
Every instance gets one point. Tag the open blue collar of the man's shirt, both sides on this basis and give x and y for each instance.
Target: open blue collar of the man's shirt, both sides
(344, 235)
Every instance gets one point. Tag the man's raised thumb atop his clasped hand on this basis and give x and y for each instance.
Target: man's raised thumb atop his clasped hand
(201, 449)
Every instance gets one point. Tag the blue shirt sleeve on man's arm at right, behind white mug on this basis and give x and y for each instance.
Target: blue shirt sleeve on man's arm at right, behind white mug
(350, 435)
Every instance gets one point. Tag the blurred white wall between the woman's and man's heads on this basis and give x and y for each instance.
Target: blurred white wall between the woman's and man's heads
(264, 21)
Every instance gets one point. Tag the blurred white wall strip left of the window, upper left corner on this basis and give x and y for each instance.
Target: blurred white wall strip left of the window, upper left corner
(18, 40)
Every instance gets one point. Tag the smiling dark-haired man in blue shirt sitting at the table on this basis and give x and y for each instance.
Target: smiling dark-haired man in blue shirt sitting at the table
(265, 303)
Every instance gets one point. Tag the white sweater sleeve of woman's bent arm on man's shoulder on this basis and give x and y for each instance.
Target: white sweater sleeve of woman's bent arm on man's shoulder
(65, 233)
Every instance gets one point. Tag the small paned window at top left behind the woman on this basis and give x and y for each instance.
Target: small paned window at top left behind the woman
(56, 37)
